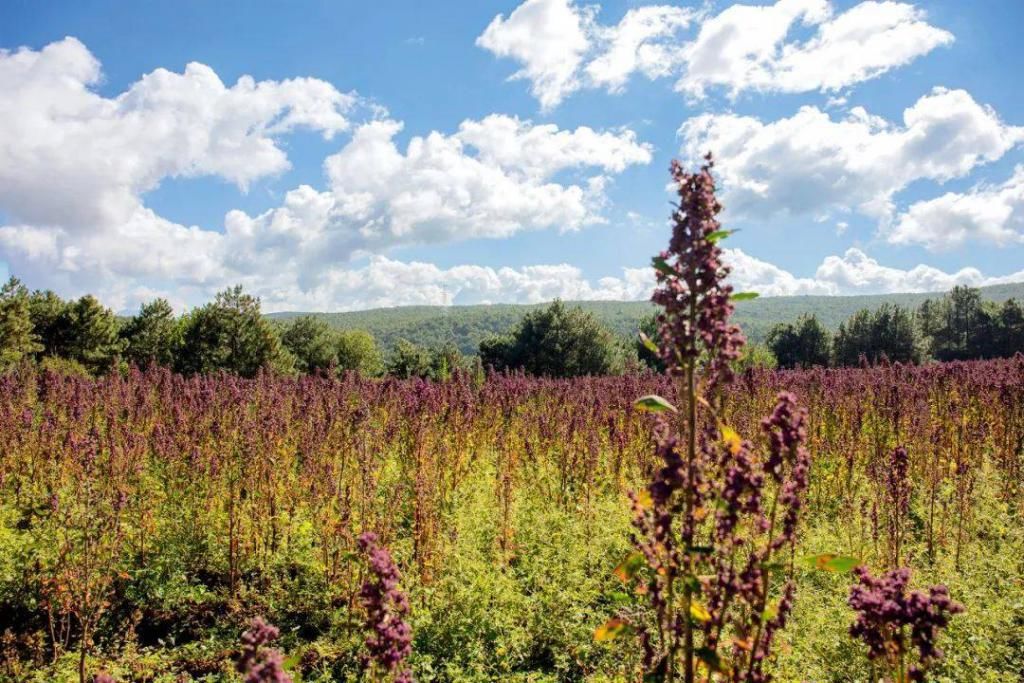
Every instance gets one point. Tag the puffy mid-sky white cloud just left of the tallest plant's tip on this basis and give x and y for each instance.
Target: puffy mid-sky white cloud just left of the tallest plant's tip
(493, 179)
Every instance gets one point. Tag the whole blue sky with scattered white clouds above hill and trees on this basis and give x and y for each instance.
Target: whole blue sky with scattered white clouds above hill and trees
(338, 156)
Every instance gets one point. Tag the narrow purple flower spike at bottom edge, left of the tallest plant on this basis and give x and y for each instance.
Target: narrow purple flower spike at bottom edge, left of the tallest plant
(391, 639)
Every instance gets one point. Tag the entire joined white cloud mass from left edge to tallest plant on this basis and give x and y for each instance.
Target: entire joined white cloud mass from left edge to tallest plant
(99, 156)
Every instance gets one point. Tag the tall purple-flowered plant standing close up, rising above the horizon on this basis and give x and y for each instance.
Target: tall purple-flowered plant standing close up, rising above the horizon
(717, 523)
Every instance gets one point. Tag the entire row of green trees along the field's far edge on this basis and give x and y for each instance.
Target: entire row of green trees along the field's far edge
(231, 334)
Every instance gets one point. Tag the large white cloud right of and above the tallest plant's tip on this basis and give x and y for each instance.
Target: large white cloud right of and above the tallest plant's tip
(815, 165)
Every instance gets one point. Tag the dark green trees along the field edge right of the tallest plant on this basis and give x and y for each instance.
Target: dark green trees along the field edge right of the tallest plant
(960, 326)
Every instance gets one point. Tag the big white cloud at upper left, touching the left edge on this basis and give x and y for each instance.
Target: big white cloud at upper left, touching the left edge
(60, 139)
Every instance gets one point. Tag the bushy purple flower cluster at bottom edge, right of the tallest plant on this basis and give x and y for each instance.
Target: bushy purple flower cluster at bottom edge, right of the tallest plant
(901, 629)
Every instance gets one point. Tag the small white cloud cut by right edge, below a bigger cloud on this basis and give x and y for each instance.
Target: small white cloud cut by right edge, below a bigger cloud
(986, 215)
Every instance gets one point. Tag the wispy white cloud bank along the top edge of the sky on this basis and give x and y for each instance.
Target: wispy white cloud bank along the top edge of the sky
(564, 49)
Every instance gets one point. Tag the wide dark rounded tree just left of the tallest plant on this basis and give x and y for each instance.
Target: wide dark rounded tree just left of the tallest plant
(556, 341)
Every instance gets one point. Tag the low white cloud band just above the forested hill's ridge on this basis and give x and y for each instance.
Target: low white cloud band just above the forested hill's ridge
(385, 282)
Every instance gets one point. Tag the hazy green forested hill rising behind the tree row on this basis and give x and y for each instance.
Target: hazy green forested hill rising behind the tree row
(466, 326)
